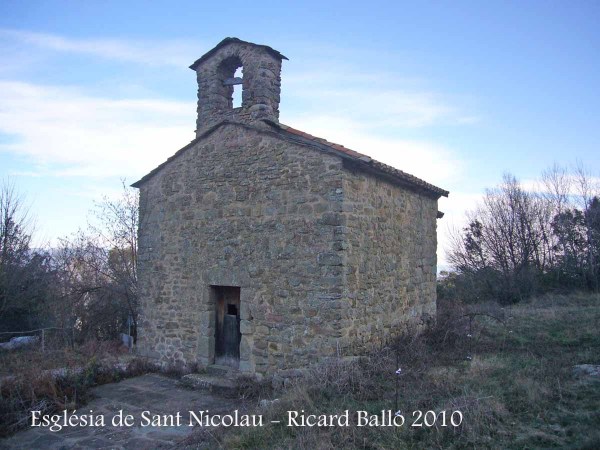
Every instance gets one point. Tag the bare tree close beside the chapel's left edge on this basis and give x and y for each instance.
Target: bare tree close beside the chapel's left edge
(99, 267)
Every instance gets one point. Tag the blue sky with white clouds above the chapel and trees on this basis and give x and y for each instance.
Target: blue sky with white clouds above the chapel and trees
(454, 92)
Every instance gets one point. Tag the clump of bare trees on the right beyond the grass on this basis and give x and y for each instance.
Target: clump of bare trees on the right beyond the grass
(519, 240)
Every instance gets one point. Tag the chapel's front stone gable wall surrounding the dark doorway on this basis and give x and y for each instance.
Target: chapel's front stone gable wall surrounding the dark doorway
(242, 208)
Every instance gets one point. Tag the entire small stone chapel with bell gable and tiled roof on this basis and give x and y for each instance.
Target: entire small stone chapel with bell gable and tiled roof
(271, 249)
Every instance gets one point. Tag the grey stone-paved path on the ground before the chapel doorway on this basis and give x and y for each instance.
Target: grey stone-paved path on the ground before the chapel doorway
(151, 392)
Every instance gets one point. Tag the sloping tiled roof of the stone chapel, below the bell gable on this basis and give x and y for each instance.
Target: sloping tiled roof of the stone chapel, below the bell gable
(357, 159)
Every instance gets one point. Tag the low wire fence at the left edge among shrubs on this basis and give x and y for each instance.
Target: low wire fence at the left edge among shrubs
(45, 339)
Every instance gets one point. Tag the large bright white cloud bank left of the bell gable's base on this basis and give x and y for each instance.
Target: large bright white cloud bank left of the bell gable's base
(70, 133)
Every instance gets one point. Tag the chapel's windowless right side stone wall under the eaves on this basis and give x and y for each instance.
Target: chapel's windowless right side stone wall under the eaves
(390, 276)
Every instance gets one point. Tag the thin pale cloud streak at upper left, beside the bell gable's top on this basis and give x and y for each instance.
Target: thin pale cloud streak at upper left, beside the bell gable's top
(179, 53)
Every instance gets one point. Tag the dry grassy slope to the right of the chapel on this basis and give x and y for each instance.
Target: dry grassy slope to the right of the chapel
(516, 391)
